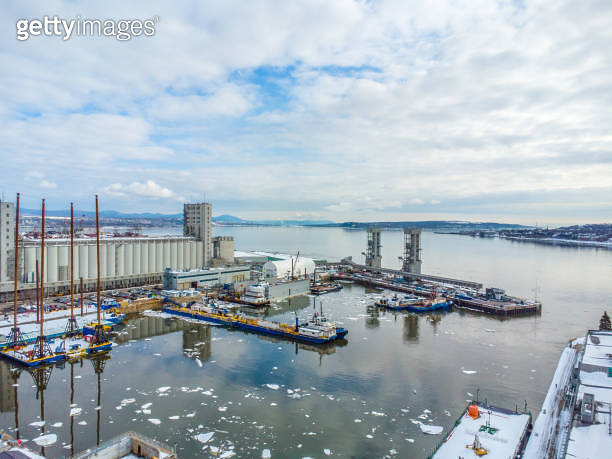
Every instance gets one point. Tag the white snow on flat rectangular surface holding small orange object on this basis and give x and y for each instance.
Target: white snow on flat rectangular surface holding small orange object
(503, 443)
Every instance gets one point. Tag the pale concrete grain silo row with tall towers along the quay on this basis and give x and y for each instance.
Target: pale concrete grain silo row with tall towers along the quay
(124, 262)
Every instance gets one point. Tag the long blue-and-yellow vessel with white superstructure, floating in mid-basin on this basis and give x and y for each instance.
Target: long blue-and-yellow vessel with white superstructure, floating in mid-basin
(318, 330)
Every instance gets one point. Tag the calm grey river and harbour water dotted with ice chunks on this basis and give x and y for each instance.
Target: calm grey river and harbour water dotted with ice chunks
(360, 398)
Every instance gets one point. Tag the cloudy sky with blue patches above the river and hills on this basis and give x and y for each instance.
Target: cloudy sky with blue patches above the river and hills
(344, 110)
